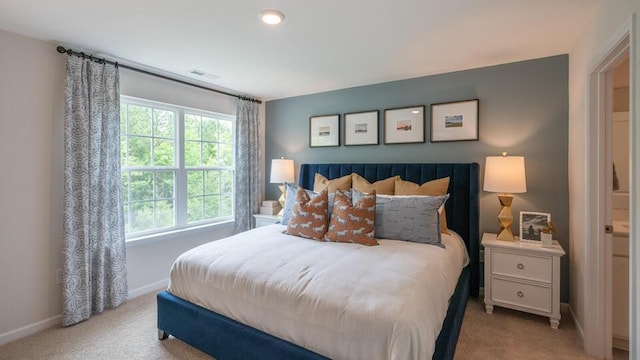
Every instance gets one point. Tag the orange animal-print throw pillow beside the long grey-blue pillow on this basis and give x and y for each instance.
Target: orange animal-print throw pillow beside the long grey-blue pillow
(353, 222)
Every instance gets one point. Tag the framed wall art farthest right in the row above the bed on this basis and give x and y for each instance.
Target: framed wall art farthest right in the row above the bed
(454, 121)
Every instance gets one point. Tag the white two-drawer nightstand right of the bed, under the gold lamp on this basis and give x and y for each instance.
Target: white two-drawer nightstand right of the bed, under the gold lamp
(522, 276)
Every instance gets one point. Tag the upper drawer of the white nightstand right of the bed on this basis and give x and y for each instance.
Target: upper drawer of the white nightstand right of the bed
(522, 266)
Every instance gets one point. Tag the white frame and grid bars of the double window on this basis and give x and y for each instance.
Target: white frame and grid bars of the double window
(211, 201)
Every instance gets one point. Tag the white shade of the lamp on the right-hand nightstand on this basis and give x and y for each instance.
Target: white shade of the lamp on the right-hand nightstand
(505, 174)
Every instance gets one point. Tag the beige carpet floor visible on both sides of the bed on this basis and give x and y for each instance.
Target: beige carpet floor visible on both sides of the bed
(129, 332)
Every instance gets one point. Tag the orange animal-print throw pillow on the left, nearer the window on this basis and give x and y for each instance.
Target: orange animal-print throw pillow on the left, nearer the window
(309, 216)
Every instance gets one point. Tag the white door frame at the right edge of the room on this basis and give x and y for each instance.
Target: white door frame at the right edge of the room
(598, 250)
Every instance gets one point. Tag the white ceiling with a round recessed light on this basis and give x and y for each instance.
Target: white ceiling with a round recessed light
(321, 45)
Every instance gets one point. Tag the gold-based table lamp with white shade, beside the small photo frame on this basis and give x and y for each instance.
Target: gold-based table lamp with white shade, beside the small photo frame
(505, 175)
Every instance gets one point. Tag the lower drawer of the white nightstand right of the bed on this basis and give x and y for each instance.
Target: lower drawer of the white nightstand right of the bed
(524, 295)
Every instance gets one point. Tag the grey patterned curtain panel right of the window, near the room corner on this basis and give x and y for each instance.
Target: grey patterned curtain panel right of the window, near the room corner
(248, 177)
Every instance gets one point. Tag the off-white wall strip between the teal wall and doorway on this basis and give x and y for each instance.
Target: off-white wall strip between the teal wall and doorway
(608, 20)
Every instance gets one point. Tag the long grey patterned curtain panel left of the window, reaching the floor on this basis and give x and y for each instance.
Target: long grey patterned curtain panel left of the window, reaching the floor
(95, 274)
